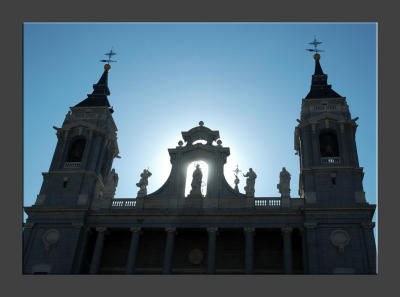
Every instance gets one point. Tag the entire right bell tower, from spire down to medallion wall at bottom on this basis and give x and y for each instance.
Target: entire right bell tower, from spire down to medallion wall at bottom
(337, 219)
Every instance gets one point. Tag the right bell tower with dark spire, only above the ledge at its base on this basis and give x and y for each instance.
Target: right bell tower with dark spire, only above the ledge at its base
(325, 142)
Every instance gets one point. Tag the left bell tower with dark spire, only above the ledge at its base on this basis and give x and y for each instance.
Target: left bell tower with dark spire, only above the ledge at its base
(86, 147)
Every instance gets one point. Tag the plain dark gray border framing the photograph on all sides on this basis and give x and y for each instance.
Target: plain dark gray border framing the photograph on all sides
(371, 11)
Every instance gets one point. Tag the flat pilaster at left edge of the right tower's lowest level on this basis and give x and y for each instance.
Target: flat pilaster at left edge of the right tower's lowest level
(312, 248)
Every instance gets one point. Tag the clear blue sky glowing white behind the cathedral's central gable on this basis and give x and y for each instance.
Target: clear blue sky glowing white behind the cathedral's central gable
(246, 80)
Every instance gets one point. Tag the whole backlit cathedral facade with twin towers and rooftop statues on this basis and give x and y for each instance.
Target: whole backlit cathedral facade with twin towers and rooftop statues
(200, 224)
